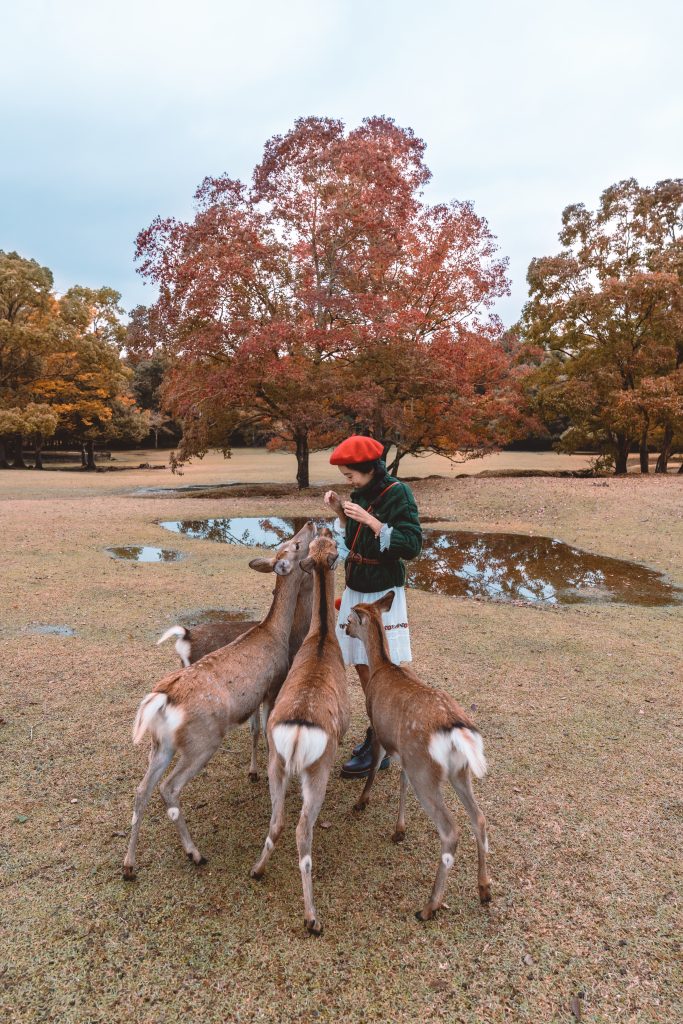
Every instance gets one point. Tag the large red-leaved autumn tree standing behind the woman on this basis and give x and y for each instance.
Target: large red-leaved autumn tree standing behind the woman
(281, 304)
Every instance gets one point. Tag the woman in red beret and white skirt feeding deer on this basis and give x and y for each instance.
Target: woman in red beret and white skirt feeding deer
(381, 529)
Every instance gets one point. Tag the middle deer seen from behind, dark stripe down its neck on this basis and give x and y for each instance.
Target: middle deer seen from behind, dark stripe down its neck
(310, 718)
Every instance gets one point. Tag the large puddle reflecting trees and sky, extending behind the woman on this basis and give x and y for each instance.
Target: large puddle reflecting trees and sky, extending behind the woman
(496, 567)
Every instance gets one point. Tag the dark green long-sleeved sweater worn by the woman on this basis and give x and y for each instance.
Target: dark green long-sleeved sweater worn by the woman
(399, 510)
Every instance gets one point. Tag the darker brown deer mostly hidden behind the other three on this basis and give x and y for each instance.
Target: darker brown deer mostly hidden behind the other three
(195, 643)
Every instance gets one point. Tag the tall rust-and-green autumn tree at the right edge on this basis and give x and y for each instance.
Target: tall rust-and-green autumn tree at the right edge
(605, 323)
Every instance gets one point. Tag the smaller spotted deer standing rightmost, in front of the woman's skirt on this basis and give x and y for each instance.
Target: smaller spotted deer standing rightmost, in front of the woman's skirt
(435, 740)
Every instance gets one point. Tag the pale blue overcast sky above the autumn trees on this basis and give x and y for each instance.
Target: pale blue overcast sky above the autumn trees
(114, 112)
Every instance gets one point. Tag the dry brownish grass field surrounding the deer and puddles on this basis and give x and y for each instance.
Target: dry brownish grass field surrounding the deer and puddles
(581, 712)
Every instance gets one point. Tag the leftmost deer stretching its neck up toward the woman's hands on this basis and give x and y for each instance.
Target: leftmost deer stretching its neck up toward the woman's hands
(190, 711)
